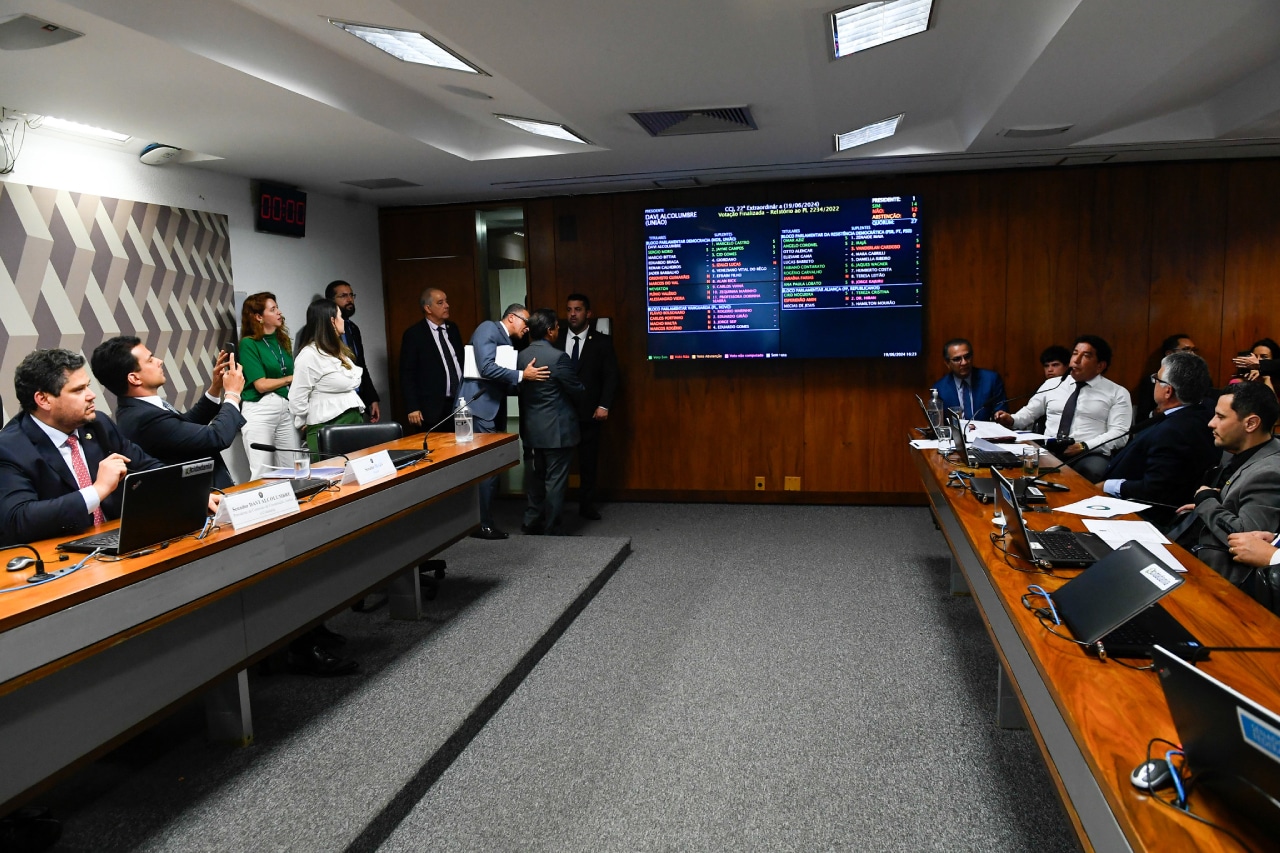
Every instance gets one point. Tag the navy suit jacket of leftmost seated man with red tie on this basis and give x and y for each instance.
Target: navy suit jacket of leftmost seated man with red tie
(39, 496)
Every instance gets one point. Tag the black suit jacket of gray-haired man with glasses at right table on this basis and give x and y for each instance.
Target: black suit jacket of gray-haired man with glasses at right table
(1167, 462)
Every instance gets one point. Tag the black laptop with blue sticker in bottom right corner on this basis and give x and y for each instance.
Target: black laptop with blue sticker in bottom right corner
(1232, 743)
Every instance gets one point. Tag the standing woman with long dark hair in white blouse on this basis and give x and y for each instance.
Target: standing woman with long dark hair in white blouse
(326, 377)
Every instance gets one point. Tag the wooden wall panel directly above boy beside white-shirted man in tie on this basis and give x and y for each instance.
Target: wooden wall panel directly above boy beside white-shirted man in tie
(1043, 250)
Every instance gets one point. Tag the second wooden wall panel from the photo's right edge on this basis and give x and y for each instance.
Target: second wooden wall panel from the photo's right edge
(1188, 259)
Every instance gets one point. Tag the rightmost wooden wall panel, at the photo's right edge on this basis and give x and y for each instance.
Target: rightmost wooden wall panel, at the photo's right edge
(1251, 291)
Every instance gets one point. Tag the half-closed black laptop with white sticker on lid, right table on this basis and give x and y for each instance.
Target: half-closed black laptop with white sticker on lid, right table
(1113, 605)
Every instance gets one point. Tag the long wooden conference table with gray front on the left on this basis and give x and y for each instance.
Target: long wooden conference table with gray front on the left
(93, 658)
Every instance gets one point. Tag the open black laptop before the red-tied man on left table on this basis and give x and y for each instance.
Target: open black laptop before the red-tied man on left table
(158, 505)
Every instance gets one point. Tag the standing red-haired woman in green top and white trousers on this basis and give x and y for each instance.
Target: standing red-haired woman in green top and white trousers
(268, 363)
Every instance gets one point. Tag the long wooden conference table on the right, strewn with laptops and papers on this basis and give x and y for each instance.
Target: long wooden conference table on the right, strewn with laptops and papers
(1092, 719)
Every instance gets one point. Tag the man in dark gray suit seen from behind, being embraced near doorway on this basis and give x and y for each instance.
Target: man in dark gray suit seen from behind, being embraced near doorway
(548, 416)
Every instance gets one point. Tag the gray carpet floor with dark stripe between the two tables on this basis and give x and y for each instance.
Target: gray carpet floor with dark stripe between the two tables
(751, 678)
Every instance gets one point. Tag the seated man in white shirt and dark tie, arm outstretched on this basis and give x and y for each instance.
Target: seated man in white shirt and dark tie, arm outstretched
(1089, 409)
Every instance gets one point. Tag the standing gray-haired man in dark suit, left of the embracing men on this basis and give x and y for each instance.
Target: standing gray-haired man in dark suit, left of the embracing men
(432, 362)
